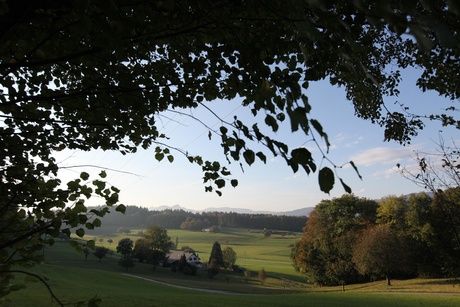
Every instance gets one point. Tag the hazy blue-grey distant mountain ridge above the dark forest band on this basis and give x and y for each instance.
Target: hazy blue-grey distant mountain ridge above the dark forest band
(297, 212)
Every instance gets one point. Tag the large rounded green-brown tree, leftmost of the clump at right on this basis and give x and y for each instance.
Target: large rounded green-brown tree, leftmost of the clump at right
(325, 250)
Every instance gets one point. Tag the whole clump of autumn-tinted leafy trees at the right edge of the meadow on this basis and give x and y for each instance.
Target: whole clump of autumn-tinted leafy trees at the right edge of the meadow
(351, 239)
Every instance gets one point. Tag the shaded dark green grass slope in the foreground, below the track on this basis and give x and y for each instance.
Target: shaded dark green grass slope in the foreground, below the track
(75, 283)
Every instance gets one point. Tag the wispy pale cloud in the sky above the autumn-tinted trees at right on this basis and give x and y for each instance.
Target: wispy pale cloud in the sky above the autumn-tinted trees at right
(382, 155)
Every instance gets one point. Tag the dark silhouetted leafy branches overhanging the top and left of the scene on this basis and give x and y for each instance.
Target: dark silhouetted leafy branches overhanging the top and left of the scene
(97, 75)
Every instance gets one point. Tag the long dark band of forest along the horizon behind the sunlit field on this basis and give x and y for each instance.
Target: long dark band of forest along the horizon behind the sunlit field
(138, 217)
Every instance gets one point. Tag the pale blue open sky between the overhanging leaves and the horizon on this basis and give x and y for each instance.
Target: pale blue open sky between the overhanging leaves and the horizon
(272, 186)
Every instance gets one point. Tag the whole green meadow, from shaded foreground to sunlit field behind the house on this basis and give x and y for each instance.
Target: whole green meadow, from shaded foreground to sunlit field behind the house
(74, 279)
